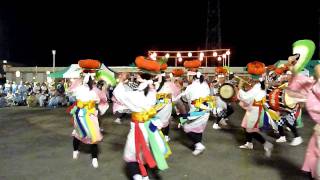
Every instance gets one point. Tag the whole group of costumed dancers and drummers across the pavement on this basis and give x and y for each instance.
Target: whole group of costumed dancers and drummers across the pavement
(271, 100)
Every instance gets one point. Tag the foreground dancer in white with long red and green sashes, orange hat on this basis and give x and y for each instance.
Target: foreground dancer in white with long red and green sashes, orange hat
(145, 142)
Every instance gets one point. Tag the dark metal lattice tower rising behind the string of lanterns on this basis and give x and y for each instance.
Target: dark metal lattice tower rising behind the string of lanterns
(213, 34)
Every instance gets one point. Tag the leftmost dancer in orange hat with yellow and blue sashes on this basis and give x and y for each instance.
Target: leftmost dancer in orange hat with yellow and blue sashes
(85, 120)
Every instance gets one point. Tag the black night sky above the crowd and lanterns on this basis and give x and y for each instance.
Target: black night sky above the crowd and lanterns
(116, 33)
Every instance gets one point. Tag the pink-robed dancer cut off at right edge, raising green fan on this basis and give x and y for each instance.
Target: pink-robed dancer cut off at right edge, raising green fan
(307, 89)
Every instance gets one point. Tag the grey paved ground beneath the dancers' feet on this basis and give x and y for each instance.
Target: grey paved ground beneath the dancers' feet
(35, 143)
